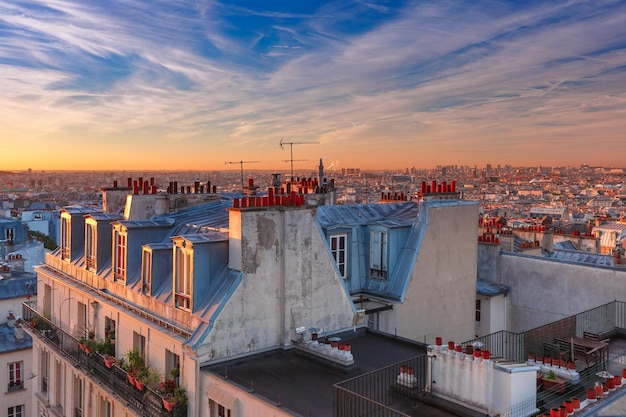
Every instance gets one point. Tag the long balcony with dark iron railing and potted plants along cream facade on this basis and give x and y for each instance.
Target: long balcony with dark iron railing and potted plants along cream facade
(148, 403)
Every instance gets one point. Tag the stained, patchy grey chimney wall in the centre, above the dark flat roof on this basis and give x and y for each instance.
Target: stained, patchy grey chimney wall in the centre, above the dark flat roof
(289, 280)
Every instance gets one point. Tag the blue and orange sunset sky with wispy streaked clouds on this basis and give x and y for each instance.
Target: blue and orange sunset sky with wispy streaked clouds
(192, 85)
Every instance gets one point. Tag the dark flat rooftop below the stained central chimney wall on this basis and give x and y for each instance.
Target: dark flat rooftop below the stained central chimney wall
(304, 386)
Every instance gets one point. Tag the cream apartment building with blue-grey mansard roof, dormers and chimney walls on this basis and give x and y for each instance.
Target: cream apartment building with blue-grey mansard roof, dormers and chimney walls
(187, 280)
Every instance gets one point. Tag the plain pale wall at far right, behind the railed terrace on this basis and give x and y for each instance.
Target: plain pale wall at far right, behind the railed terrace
(545, 290)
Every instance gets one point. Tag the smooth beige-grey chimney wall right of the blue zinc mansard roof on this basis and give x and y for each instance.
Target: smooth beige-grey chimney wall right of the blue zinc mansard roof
(441, 297)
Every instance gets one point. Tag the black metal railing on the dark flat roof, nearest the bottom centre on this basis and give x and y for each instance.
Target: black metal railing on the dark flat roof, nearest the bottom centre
(384, 392)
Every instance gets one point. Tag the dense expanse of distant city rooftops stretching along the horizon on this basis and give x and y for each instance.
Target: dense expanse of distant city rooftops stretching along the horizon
(585, 192)
